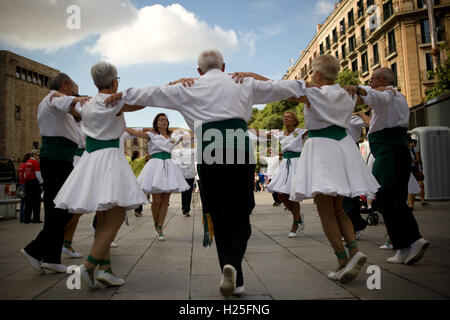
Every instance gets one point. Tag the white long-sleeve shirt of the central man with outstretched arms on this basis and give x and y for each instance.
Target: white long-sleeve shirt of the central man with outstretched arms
(215, 96)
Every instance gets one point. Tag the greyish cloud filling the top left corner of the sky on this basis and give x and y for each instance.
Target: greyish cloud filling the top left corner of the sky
(41, 24)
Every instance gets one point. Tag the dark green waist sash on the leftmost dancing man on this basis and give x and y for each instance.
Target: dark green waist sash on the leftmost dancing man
(58, 148)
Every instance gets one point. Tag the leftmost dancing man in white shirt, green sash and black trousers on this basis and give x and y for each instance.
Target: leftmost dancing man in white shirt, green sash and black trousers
(59, 143)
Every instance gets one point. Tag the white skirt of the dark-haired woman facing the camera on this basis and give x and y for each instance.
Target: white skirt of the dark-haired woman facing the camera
(162, 176)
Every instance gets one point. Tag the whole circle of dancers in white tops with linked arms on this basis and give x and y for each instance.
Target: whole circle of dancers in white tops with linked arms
(84, 169)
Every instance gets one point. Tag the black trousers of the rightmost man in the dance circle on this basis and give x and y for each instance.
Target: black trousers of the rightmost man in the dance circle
(391, 199)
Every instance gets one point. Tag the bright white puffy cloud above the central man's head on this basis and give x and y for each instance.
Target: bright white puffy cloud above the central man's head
(162, 34)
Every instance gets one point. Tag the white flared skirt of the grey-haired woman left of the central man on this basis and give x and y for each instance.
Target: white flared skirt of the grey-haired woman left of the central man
(100, 181)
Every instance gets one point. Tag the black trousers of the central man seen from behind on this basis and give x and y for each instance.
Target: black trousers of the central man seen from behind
(230, 203)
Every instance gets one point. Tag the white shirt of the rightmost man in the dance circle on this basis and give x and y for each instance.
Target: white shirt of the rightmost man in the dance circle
(389, 110)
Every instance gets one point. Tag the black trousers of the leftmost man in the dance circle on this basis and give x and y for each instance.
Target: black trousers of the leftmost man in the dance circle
(47, 245)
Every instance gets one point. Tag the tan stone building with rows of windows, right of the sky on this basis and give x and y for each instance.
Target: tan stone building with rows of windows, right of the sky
(367, 34)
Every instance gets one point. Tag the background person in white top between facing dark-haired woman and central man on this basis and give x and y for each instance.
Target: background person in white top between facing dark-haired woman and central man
(184, 157)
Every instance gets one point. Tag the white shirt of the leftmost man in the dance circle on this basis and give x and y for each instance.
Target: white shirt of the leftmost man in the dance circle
(54, 119)
